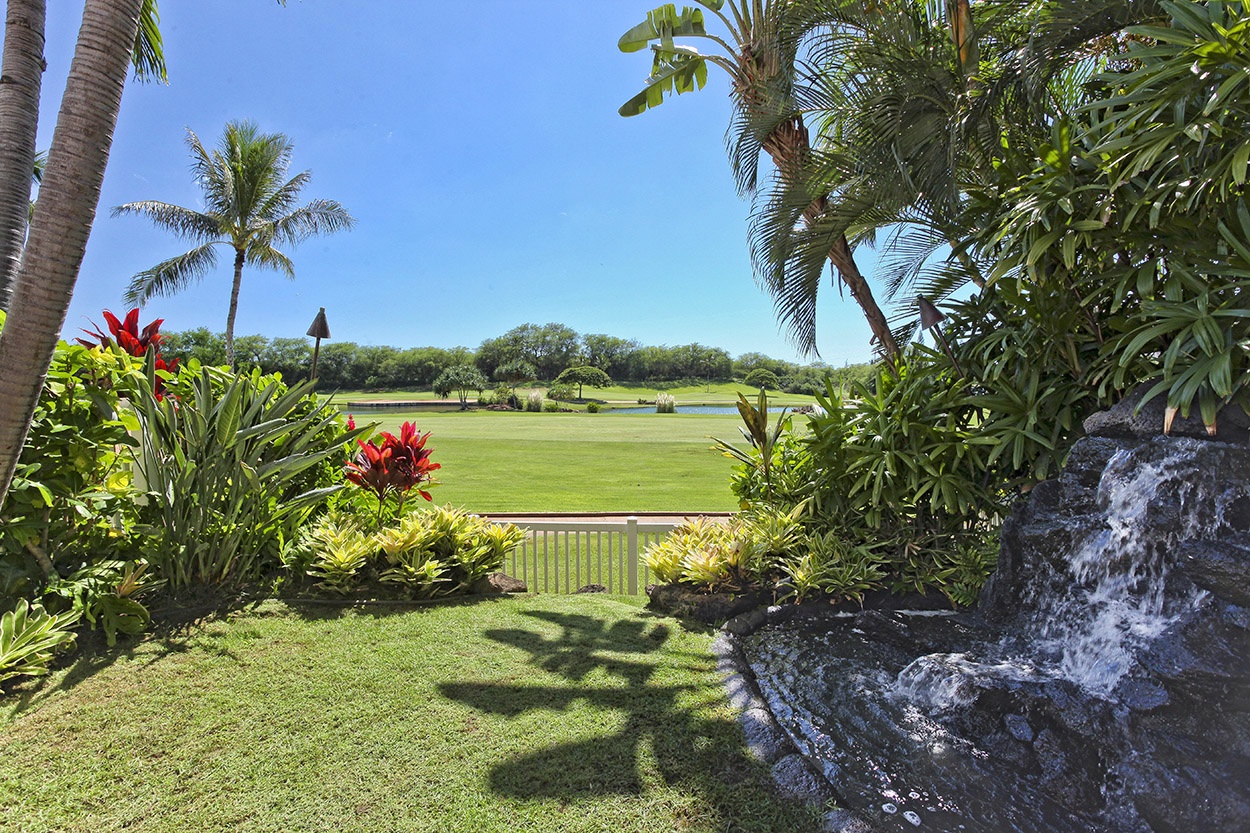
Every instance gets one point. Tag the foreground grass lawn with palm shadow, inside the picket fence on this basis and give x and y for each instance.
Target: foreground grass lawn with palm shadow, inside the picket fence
(534, 714)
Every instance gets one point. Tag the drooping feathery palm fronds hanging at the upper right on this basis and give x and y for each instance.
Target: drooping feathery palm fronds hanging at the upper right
(914, 104)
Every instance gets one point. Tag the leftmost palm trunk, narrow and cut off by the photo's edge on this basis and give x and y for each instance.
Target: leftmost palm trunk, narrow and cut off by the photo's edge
(21, 79)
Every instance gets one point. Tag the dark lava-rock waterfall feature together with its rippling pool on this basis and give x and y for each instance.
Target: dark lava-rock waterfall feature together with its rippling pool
(1104, 682)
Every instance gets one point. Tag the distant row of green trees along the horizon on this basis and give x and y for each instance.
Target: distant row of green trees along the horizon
(527, 353)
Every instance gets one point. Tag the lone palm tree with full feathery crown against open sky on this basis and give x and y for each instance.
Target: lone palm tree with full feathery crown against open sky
(248, 207)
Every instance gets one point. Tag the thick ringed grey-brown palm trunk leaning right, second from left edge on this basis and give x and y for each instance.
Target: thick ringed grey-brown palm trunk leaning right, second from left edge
(59, 232)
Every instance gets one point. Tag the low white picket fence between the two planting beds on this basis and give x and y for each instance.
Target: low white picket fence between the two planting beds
(564, 556)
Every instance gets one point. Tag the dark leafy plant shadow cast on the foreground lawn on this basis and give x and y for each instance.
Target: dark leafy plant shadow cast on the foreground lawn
(687, 749)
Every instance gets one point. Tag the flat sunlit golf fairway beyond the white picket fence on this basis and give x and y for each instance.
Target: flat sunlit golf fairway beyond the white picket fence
(523, 462)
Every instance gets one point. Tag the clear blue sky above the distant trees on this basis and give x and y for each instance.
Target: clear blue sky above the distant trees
(478, 147)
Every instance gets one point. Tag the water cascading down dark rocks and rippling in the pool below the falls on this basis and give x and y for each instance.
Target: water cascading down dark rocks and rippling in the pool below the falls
(941, 722)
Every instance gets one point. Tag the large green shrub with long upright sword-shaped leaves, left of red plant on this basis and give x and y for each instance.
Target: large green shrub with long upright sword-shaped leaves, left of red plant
(233, 467)
